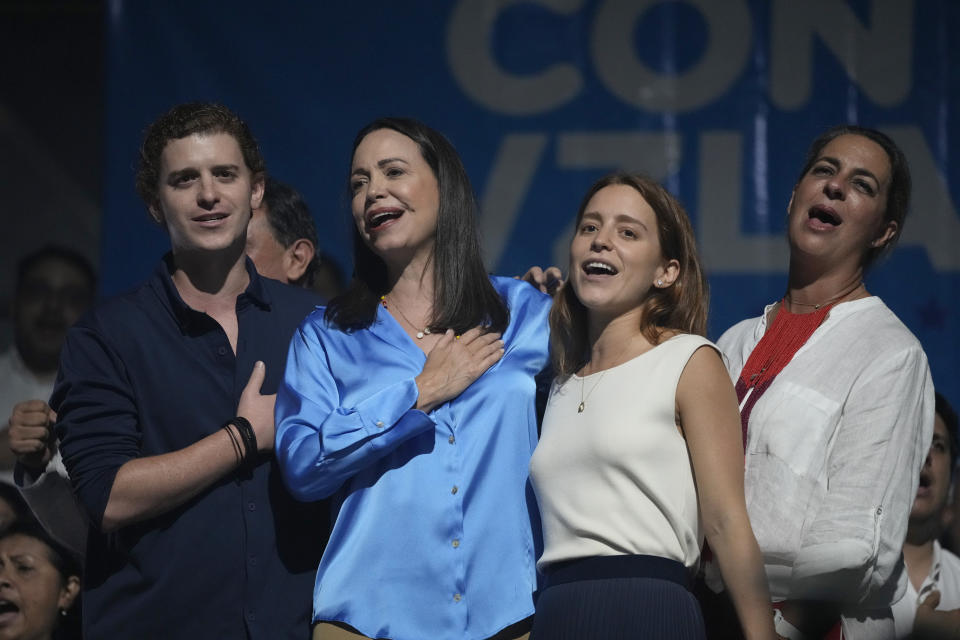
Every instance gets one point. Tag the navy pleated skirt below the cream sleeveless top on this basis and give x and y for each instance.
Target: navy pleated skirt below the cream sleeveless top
(617, 598)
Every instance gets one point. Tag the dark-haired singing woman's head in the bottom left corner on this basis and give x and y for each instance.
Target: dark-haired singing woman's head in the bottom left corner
(39, 586)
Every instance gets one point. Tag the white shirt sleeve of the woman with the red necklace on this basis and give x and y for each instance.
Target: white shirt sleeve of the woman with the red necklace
(850, 549)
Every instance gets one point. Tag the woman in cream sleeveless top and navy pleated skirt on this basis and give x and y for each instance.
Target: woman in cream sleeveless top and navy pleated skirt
(640, 453)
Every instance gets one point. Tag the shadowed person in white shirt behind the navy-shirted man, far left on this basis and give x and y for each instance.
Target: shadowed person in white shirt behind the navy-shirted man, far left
(54, 287)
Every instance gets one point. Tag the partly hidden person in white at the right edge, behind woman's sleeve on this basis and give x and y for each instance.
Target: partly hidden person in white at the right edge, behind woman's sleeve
(930, 608)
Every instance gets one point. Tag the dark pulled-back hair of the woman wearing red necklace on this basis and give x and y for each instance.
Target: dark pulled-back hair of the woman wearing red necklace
(898, 191)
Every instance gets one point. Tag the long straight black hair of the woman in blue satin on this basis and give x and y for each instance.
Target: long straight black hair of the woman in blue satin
(463, 295)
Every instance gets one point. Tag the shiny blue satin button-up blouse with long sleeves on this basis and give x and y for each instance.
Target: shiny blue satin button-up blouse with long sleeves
(435, 520)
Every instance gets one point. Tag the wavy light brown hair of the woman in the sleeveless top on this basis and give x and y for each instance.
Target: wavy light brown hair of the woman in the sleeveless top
(681, 306)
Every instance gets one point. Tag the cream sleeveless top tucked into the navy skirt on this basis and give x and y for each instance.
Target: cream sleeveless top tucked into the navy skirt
(616, 478)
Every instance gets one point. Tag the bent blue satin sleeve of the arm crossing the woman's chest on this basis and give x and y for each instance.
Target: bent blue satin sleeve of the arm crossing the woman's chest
(321, 440)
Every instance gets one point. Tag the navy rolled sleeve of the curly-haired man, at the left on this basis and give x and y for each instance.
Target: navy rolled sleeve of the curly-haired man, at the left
(96, 417)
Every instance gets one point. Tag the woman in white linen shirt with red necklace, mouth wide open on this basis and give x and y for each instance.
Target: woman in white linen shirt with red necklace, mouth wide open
(836, 400)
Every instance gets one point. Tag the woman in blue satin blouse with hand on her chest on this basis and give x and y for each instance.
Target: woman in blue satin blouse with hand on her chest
(410, 400)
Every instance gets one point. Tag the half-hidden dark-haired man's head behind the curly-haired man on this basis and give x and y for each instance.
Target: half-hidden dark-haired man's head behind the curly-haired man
(282, 237)
